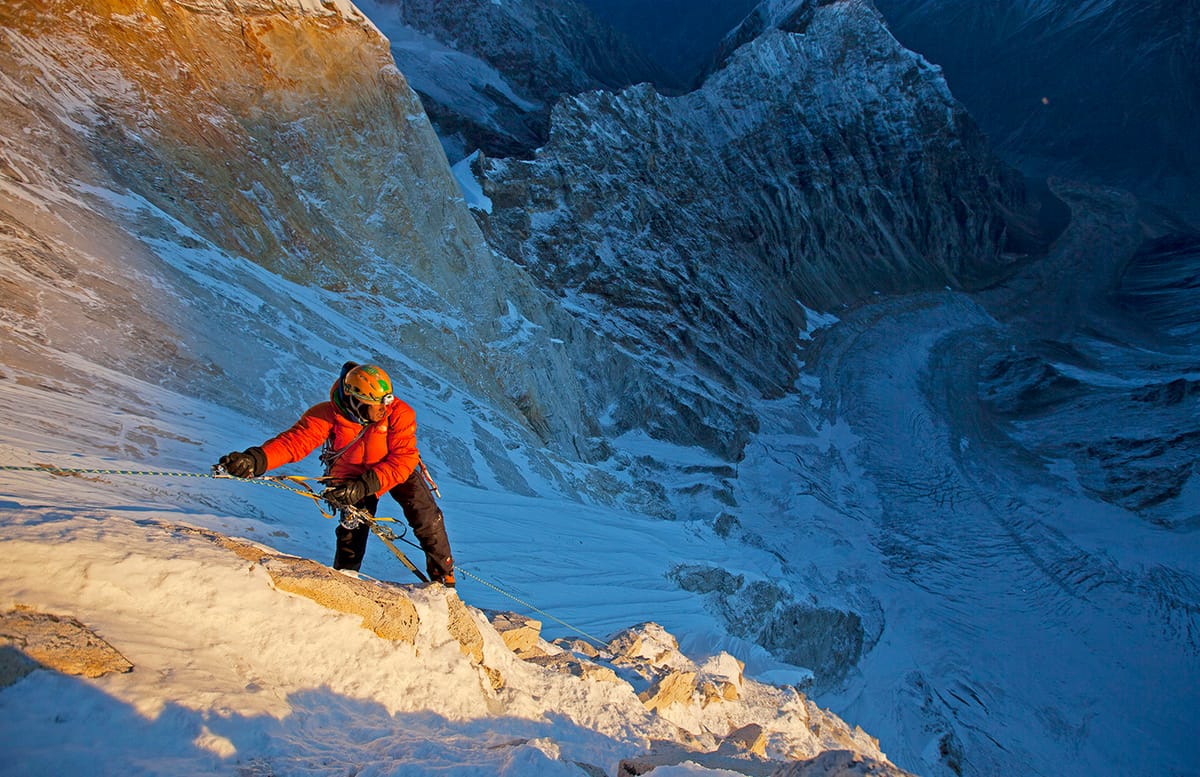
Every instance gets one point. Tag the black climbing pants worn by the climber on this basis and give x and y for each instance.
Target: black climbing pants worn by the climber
(423, 515)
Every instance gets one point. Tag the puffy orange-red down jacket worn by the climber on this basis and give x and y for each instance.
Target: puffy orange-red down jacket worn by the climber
(387, 448)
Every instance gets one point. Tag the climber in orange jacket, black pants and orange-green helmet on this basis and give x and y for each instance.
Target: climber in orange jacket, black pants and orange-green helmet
(370, 448)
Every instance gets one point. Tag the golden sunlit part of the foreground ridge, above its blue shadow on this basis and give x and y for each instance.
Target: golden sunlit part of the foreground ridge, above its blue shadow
(249, 624)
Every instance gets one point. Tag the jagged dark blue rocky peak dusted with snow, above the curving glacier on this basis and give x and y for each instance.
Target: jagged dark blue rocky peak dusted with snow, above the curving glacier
(821, 165)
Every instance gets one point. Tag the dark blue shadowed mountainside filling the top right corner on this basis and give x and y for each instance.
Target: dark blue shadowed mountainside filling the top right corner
(1105, 92)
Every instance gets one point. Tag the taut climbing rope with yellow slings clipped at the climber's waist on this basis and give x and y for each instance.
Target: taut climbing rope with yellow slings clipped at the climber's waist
(299, 485)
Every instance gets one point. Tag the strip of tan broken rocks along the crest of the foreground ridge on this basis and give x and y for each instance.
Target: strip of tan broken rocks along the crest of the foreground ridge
(723, 719)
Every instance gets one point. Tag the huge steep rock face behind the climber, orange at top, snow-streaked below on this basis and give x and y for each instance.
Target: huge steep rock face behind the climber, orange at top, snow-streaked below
(170, 168)
